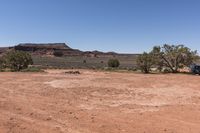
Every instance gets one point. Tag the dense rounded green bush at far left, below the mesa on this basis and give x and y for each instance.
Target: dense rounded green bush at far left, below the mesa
(17, 60)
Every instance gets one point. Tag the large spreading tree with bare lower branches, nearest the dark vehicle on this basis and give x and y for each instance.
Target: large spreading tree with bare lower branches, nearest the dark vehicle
(173, 57)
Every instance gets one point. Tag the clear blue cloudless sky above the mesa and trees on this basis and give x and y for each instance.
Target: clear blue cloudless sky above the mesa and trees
(127, 26)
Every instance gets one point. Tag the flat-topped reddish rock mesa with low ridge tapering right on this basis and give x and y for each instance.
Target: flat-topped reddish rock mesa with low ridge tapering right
(50, 48)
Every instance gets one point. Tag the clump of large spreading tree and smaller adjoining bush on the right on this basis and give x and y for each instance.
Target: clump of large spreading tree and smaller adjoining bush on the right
(170, 58)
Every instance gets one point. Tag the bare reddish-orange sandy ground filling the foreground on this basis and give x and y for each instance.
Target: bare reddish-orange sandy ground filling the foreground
(99, 102)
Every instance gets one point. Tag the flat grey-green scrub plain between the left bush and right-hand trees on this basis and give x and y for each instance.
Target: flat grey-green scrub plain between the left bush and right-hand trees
(77, 61)
